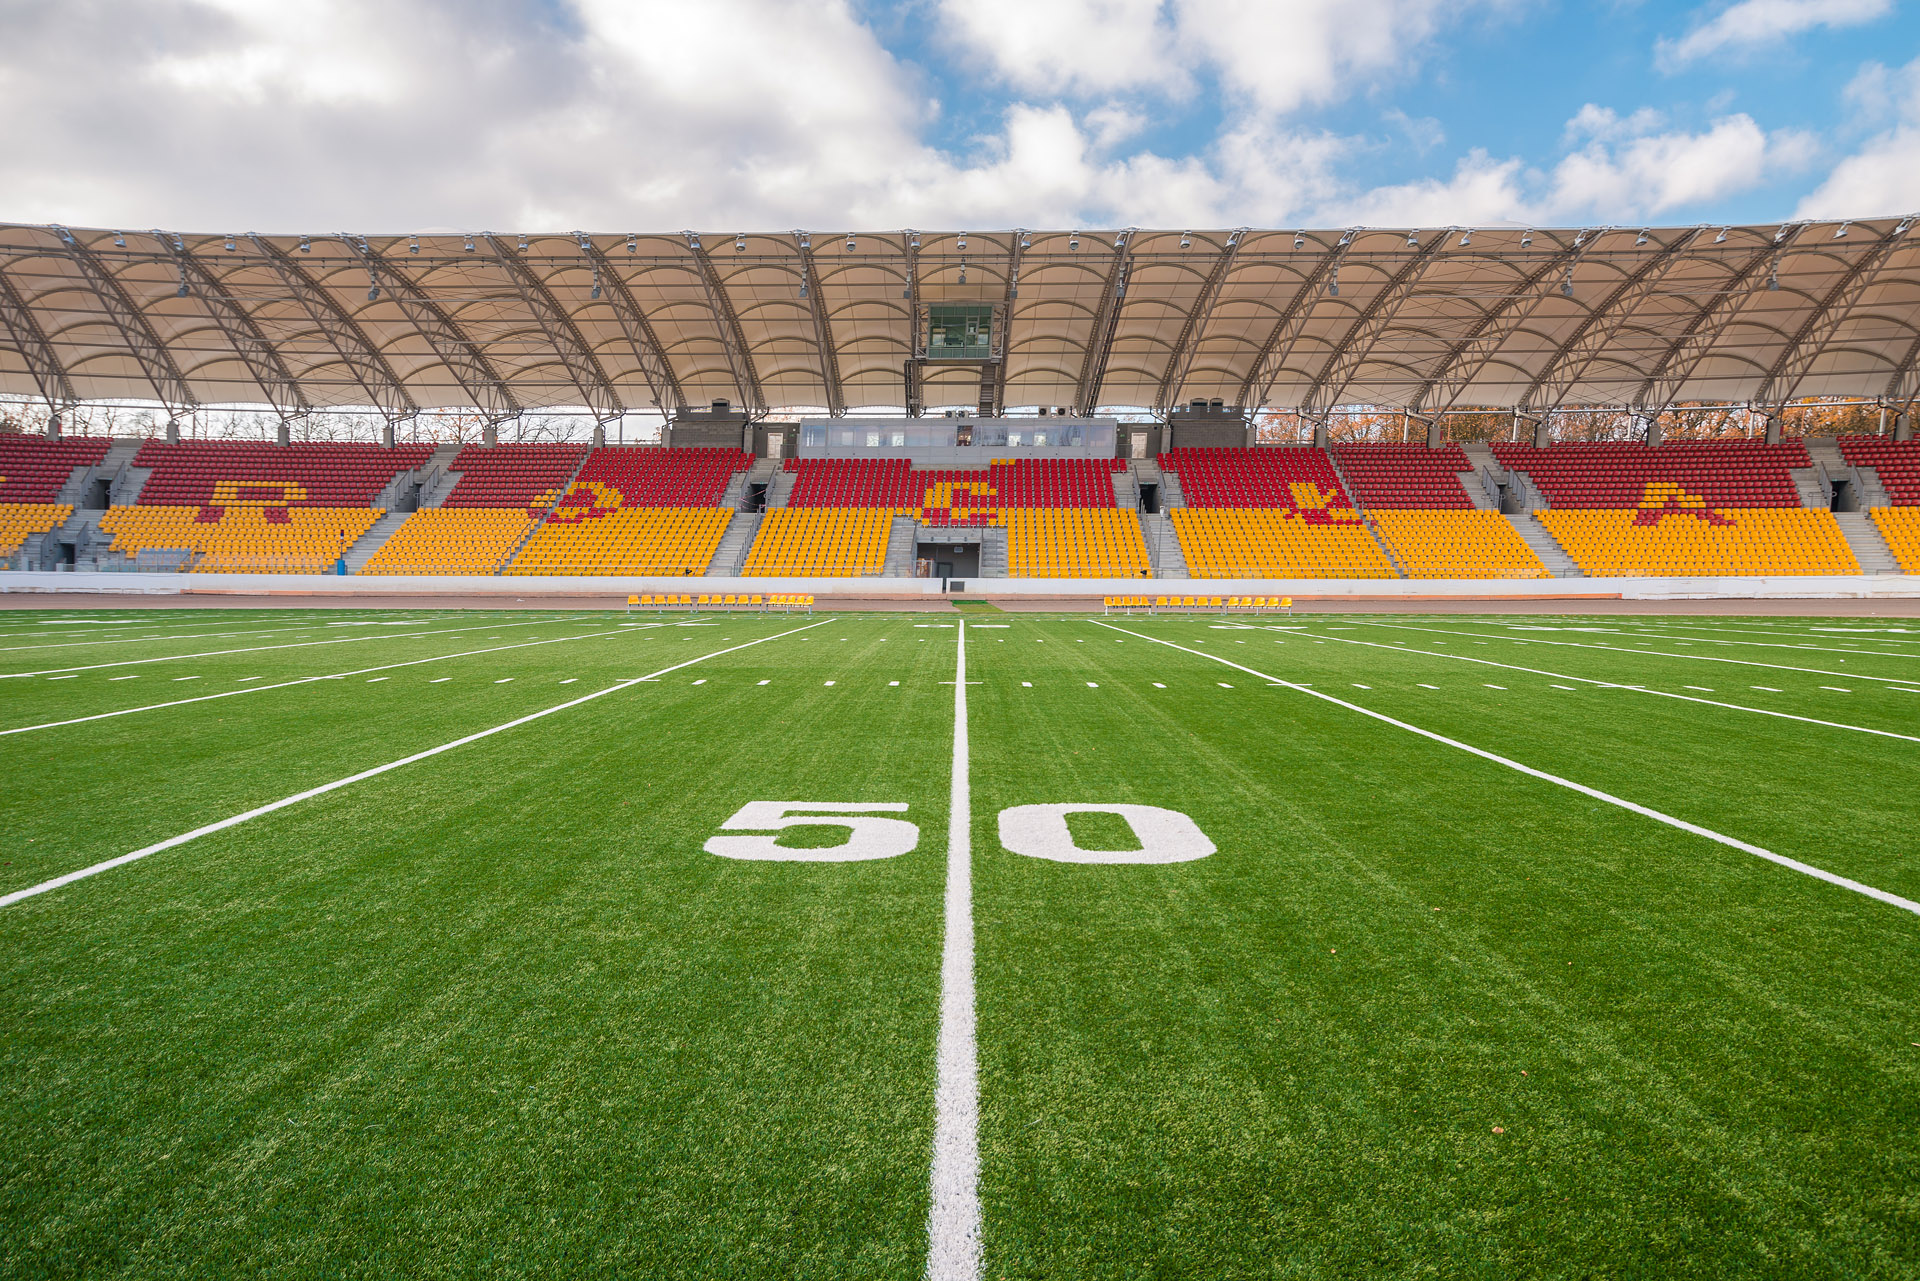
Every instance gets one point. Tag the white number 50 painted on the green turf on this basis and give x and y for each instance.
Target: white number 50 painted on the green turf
(1032, 831)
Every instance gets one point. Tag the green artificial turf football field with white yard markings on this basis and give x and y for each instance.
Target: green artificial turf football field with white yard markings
(496, 1011)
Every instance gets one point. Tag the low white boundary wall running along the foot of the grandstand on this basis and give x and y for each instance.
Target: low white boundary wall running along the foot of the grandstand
(1852, 587)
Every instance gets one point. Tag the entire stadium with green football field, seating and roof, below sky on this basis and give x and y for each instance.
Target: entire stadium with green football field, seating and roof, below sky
(1086, 752)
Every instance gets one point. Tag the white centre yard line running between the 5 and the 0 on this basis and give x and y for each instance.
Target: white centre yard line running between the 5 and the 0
(953, 1219)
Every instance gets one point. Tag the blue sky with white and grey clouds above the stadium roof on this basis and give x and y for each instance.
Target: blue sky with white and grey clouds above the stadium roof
(612, 116)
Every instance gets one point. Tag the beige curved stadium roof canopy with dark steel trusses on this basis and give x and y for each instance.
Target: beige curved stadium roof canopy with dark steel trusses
(1422, 320)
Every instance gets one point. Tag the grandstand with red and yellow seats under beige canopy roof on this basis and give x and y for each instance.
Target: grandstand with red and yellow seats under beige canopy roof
(1065, 406)
